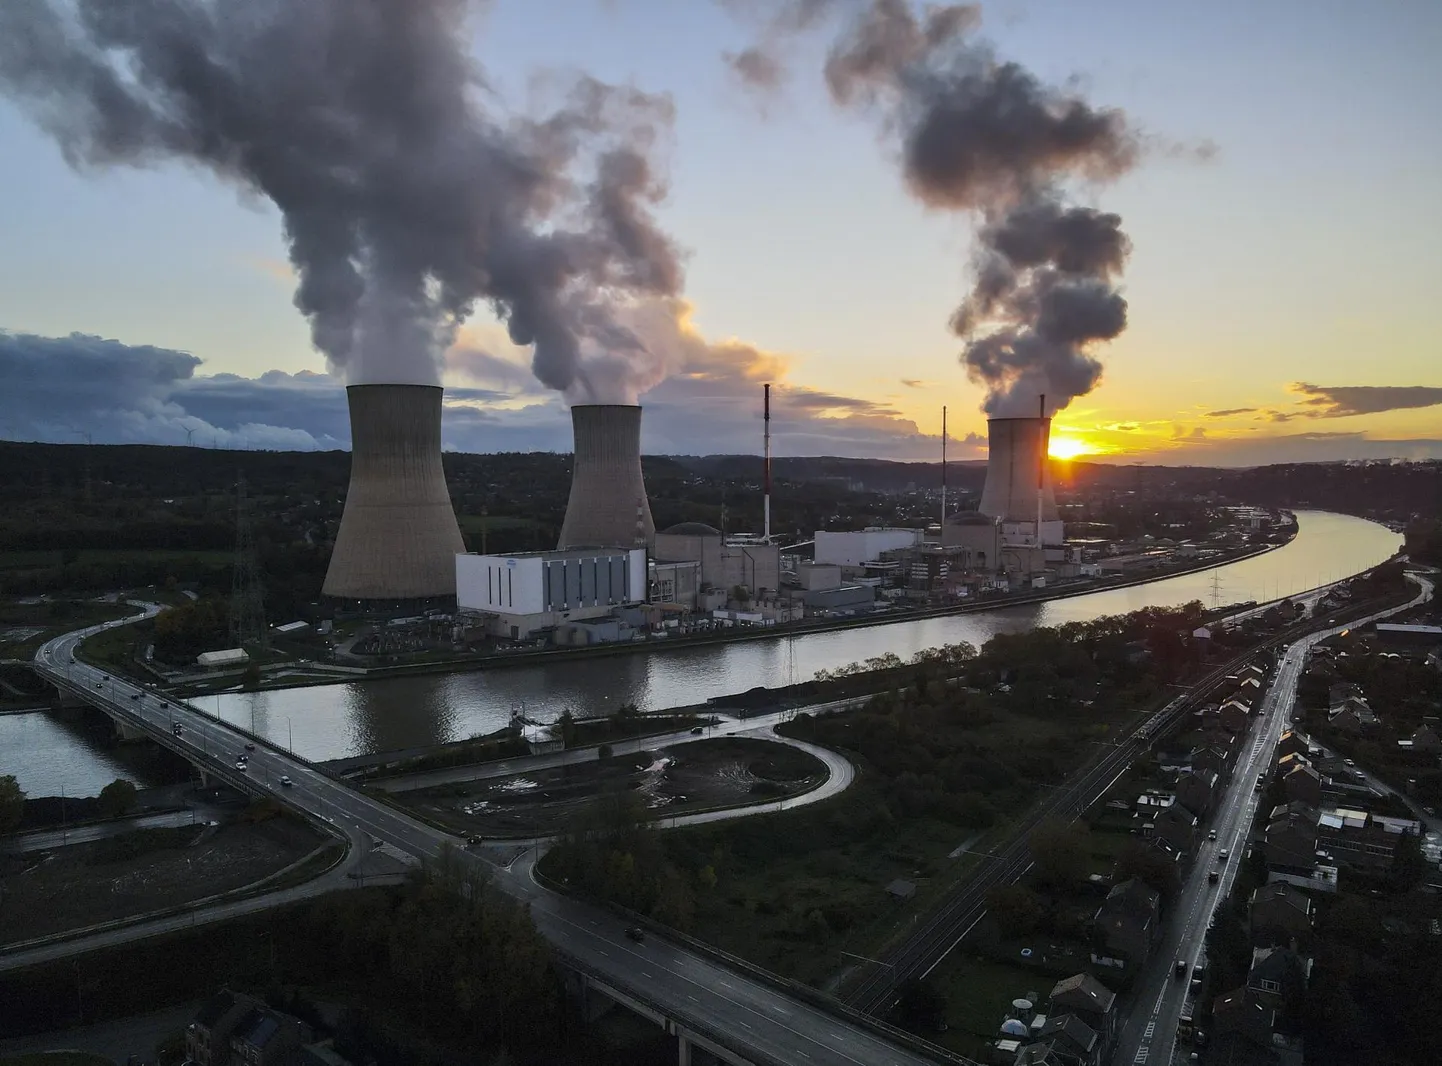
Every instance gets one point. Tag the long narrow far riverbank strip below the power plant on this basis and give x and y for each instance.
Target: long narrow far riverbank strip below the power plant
(556, 656)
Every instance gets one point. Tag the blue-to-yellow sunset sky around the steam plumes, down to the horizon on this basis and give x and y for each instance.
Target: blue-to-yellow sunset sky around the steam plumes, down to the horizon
(1283, 286)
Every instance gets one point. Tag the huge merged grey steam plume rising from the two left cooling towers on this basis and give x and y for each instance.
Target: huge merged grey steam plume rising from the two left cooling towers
(406, 201)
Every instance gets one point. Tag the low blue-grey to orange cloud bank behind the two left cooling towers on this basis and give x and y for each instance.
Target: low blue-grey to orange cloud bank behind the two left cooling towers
(63, 389)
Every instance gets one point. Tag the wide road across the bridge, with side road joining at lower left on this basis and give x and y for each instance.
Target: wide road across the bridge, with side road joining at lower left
(751, 1015)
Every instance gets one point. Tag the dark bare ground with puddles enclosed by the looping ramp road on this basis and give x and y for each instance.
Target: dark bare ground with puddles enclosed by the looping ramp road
(694, 777)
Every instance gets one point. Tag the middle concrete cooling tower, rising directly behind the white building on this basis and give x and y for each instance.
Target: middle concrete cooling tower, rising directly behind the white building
(608, 504)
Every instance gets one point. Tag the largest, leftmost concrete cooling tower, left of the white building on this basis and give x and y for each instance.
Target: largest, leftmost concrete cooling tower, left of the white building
(399, 536)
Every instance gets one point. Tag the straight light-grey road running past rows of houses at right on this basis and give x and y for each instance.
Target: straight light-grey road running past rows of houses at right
(1150, 1031)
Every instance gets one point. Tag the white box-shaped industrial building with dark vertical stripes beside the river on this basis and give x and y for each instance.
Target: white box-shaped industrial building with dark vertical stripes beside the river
(539, 591)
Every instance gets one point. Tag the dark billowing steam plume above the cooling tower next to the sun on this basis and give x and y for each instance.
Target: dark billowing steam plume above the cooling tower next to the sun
(984, 136)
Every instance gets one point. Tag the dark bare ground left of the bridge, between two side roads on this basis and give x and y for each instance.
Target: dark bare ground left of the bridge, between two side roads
(123, 876)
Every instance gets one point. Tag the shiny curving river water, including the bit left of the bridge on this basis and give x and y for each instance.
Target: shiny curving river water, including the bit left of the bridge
(332, 722)
